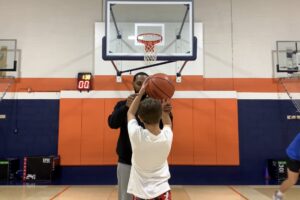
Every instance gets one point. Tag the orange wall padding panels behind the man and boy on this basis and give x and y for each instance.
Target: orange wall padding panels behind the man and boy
(205, 132)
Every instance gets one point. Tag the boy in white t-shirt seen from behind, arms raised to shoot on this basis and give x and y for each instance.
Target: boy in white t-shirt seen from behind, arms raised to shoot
(151, 146)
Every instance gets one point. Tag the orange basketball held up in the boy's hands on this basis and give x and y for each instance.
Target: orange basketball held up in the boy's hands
(160, 87)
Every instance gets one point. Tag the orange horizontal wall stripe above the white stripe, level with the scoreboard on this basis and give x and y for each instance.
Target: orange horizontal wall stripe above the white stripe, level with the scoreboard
(188, 83)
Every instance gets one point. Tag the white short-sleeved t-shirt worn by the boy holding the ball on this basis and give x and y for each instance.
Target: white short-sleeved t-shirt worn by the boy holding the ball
(150, 170)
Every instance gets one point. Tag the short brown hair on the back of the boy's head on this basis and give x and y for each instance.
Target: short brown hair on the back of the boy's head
(150, 111)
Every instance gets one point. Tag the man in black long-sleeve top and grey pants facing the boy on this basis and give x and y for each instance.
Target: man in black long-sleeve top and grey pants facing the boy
(118, 119)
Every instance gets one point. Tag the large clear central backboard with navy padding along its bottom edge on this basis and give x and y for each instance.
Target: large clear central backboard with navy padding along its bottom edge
(126, 20)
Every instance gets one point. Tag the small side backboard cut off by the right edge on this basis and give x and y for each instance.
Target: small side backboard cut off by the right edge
(288, 56)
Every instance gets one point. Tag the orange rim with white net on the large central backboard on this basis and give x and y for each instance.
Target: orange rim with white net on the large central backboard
(149, 40)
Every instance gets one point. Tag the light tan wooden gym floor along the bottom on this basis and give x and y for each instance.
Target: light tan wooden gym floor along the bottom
(33, 192)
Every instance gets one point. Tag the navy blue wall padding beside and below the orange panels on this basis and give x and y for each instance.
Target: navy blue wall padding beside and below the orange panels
(31, 129)
